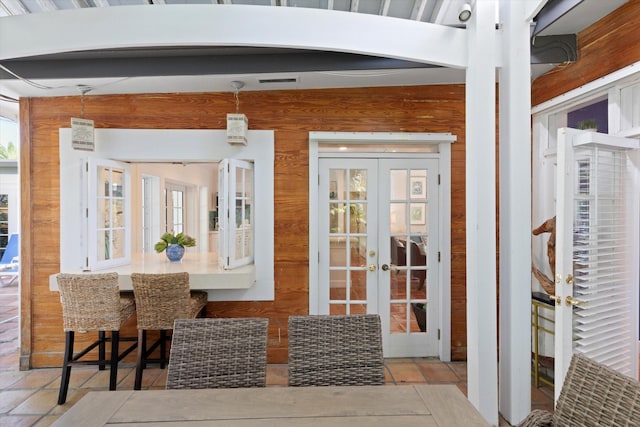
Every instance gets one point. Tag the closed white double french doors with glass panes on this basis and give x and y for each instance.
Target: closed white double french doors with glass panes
(378, 247)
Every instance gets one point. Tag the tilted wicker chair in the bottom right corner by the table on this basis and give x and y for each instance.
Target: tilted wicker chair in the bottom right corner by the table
(592, 395)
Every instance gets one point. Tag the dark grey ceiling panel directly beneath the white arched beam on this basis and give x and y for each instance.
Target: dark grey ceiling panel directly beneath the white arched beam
(192, 62)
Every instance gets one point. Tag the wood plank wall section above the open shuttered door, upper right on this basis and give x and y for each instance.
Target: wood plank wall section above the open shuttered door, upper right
(608, 45)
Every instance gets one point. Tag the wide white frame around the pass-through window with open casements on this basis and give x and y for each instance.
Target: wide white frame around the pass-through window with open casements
(253, 283)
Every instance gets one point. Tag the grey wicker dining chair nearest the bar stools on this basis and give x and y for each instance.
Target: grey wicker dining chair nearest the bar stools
(218, 353)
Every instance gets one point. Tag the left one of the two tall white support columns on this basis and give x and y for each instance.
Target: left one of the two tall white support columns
(480, 147)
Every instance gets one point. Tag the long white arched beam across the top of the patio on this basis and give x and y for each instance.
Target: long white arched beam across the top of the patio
(231, 25)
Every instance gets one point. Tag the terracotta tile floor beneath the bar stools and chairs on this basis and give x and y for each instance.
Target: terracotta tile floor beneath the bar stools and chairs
(29, 398)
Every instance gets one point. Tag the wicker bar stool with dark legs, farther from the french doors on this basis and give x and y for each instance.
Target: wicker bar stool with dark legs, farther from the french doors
(93, 302)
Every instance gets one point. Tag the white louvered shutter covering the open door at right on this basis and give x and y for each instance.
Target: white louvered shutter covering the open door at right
(604, 328)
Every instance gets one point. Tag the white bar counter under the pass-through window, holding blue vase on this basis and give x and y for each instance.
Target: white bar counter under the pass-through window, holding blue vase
(203, 269)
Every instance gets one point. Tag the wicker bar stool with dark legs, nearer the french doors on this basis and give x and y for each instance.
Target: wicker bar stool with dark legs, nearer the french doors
(160, 300)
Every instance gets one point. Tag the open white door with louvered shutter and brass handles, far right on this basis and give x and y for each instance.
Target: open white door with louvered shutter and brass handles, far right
(596, 251)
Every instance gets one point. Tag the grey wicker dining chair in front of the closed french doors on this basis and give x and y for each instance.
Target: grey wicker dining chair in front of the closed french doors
(335, 350)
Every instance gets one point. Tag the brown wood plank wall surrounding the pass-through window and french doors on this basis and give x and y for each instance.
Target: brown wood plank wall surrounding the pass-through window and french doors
(292, 114)
